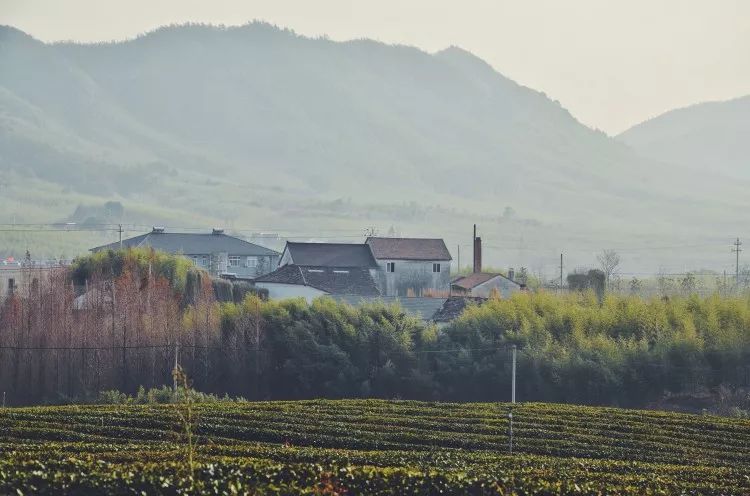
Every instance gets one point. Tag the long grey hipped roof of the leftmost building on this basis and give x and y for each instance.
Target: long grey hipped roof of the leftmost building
(192, 244)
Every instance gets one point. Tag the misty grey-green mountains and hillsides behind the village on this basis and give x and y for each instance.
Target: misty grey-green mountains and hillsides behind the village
(258, 127)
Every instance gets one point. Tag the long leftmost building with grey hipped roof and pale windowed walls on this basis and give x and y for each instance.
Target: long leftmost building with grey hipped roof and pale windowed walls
(218, 253)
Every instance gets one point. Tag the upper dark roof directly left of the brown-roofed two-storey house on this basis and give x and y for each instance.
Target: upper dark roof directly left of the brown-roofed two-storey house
(330, 254)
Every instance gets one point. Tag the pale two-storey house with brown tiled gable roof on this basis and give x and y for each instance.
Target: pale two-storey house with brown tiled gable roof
(412, 266)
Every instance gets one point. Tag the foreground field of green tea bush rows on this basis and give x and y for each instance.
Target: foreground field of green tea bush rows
(370, 447)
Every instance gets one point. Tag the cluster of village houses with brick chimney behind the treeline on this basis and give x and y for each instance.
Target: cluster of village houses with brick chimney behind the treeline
(415, 273)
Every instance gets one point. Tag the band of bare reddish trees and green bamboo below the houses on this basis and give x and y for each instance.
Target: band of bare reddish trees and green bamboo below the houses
(140, 311)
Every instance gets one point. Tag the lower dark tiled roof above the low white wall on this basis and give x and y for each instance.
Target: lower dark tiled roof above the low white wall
(332, 280)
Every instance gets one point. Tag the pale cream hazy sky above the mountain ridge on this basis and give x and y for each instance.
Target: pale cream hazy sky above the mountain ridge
(611, 63)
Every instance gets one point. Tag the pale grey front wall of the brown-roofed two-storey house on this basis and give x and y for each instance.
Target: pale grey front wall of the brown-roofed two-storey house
(414, 275)
